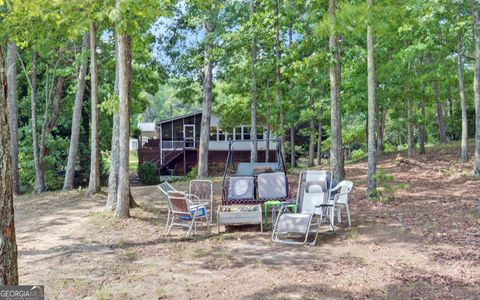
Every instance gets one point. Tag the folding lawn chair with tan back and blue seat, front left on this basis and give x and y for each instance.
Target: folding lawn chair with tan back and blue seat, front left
(185, 212)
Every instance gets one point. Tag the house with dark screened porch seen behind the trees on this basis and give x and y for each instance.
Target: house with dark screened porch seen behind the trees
(174, 148)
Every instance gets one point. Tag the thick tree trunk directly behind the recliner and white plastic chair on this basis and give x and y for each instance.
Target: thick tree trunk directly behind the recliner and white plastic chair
(336, 151)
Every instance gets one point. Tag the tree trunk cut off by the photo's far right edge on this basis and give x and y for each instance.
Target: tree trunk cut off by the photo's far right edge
(476, 87)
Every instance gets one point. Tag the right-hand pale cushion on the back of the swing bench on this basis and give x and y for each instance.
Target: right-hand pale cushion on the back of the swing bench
(272, 185)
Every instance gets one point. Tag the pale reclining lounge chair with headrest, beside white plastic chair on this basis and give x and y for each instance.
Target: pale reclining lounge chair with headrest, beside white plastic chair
(312, 202)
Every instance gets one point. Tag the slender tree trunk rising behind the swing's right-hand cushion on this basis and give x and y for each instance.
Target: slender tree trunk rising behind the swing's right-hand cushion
(278, 99)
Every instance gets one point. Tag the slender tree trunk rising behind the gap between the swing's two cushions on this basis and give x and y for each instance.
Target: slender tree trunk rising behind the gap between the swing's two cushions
(253, 118)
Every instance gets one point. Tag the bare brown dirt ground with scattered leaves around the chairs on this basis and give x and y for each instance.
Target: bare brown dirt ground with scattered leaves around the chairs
(424, 244)
